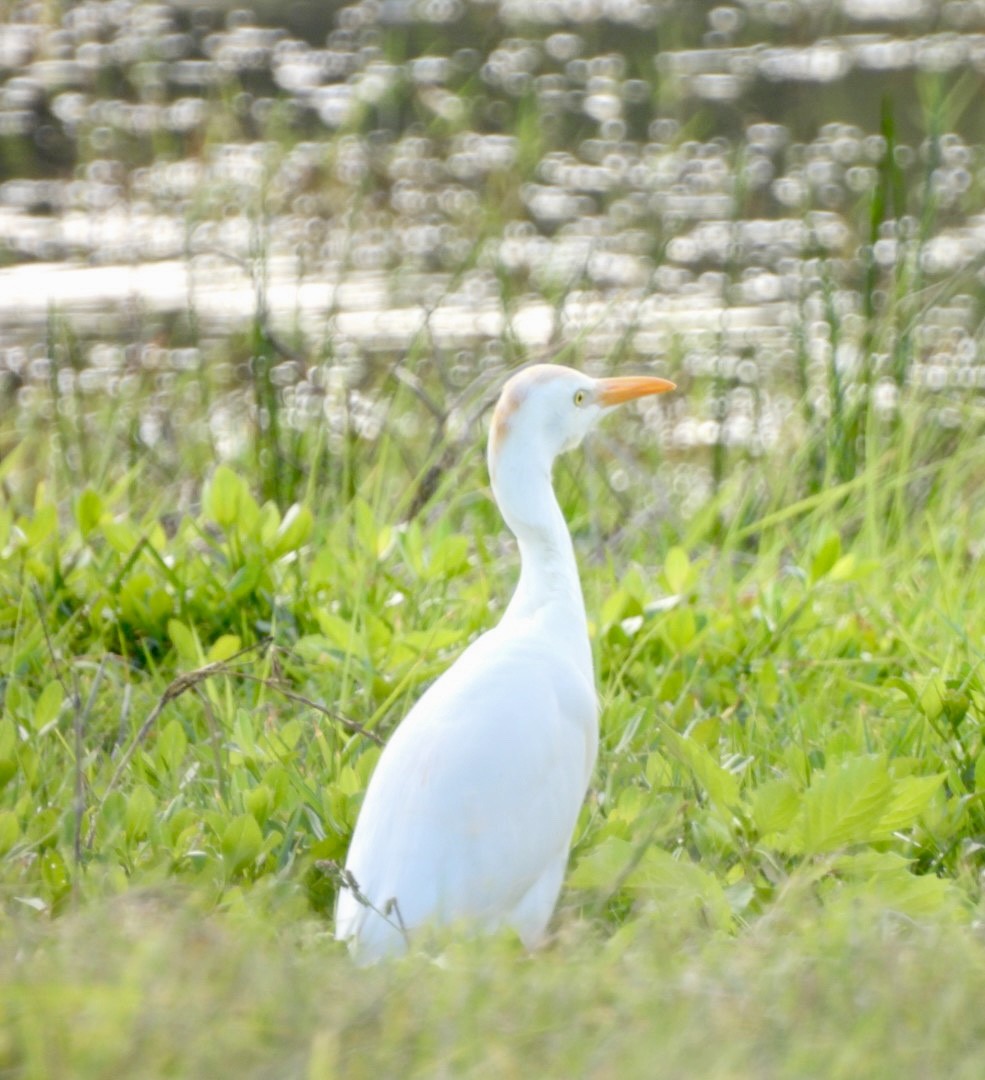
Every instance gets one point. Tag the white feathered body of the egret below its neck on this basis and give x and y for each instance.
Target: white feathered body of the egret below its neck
(470, 812)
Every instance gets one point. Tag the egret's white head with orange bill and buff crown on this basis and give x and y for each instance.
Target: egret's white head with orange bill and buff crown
(547, 410)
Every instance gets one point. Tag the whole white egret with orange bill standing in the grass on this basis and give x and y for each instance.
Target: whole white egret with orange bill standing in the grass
(469, 815)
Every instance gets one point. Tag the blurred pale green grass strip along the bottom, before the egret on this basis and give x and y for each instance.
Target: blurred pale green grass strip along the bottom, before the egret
(149, 988)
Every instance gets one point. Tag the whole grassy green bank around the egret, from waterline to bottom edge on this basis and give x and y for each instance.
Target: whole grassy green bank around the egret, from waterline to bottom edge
(778, 868)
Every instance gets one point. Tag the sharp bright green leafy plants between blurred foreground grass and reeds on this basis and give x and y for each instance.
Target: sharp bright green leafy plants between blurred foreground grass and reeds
(786, 723)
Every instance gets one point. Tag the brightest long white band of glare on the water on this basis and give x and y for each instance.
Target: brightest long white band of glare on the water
(361, 307)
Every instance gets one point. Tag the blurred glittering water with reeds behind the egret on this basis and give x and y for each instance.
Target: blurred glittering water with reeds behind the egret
(232, 225)
